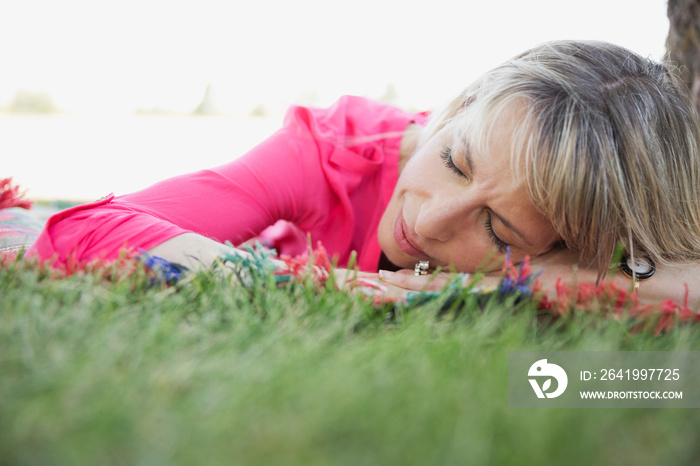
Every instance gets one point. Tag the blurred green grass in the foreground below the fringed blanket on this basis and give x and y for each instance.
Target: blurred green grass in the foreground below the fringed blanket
(108, 371)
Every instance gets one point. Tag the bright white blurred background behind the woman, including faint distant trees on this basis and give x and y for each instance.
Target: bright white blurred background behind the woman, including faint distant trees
(99, 97)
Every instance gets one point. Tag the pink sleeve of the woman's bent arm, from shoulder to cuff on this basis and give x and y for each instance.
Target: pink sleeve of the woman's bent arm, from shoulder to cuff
(232, 202)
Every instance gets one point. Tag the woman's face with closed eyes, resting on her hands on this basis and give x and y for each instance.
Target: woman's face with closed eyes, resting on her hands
(455, 206)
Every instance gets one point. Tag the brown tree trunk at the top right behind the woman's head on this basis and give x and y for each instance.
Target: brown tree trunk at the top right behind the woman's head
(683, 42)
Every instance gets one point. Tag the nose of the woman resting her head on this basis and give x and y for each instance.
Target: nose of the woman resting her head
(441, 217)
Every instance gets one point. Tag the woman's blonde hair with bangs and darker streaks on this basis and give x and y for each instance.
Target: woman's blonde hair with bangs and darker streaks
(609, 142)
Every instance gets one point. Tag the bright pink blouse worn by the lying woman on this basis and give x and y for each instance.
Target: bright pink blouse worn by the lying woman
(329, 172)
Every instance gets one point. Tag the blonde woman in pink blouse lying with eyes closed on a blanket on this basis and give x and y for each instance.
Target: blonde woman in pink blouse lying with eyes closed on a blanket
(560, 154)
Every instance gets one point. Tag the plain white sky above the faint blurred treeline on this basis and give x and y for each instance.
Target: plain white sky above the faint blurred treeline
(116, 56)
